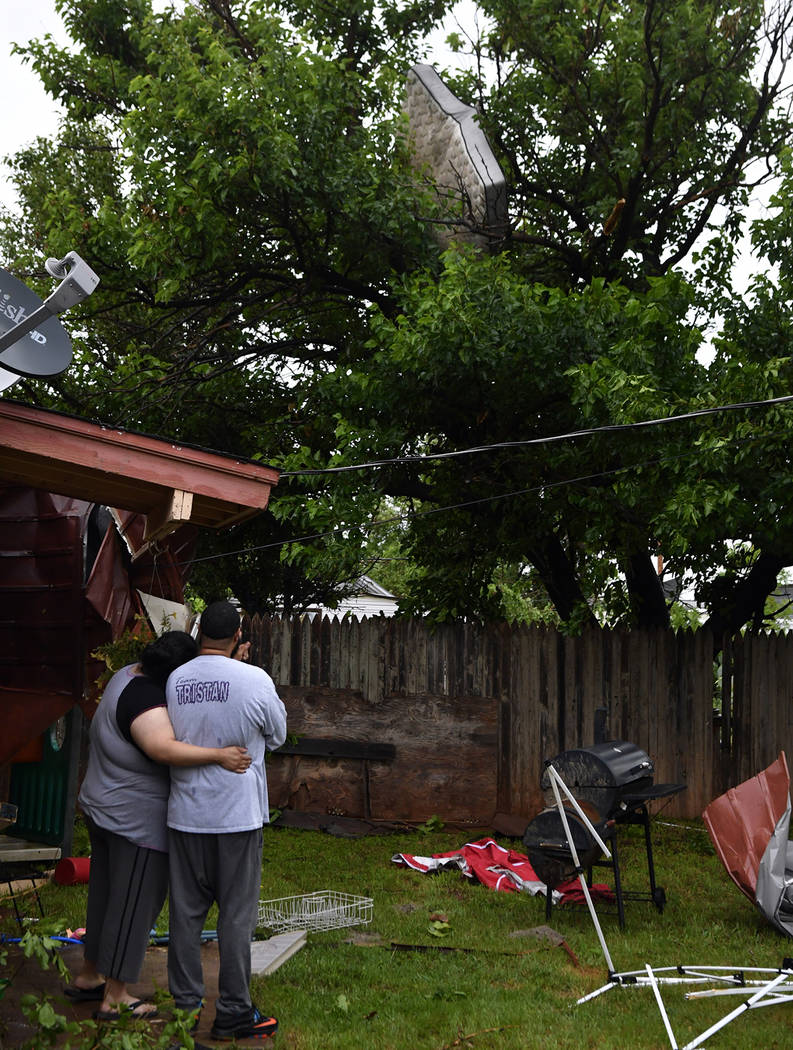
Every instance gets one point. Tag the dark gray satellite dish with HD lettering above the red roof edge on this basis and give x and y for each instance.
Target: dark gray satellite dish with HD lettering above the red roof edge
(33, 342)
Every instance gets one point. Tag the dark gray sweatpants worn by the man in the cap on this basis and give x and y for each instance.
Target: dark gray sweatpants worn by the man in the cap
(226, 869)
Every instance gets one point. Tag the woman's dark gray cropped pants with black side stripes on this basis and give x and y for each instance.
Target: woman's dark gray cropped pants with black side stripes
(127, 892)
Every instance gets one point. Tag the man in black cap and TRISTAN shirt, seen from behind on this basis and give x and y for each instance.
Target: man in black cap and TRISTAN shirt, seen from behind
(216, 821)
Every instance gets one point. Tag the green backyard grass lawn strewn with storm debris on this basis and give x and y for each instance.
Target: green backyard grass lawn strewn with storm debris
(481, 986)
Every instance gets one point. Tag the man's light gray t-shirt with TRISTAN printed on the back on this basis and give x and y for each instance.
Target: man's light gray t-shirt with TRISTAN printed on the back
(216, 702)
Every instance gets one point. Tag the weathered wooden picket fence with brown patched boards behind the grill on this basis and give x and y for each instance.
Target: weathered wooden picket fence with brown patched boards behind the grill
(394, 720)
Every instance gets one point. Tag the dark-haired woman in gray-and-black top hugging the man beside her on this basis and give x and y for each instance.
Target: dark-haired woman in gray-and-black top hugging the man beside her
(126, 799)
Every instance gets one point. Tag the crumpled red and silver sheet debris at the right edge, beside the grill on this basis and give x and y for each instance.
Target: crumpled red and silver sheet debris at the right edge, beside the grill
(749, 828)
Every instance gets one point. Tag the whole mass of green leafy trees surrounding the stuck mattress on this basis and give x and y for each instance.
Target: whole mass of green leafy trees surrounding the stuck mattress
(241, 177)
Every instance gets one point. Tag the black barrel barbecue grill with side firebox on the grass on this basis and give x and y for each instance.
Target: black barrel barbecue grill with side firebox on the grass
(613, 783)
